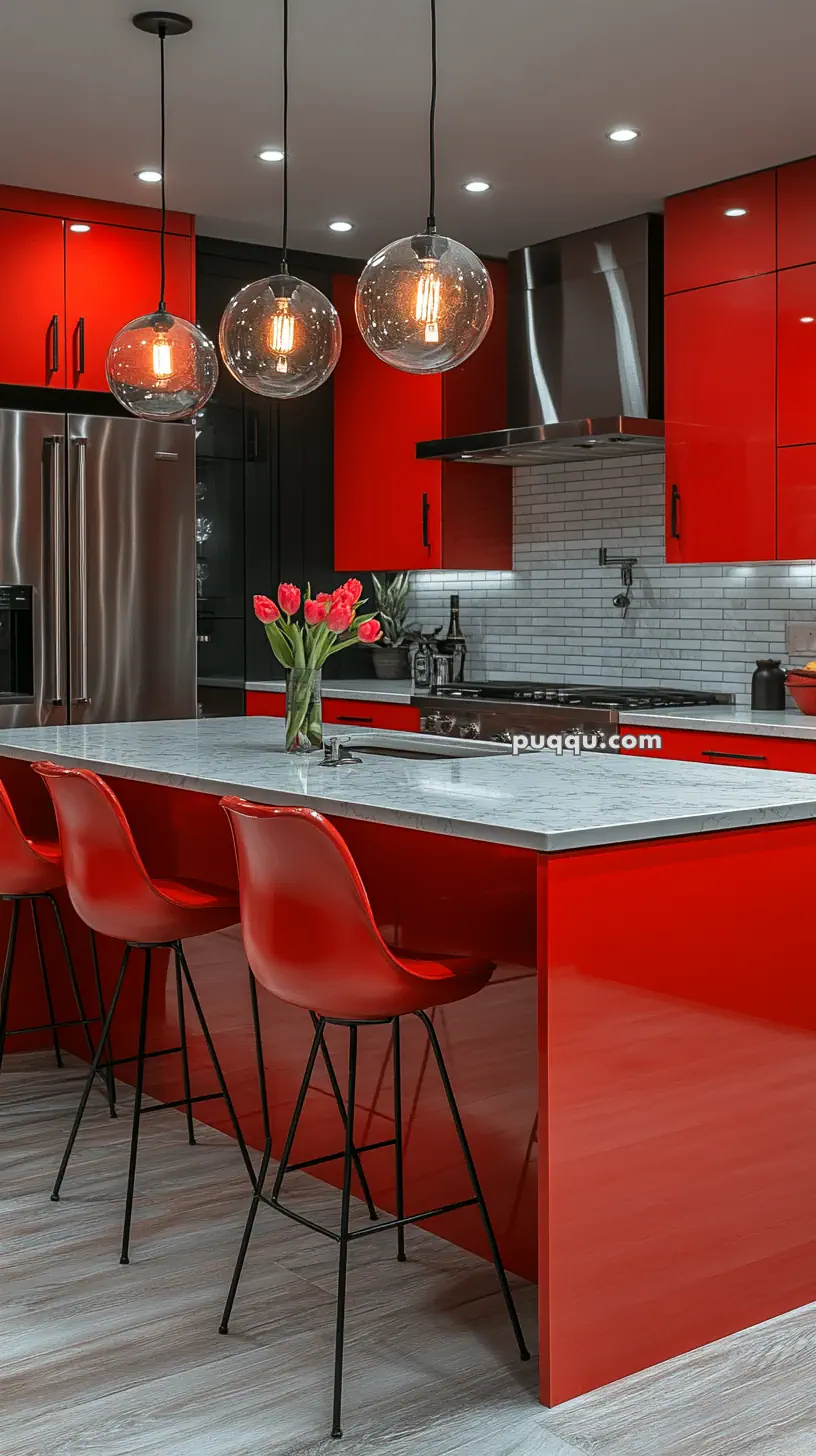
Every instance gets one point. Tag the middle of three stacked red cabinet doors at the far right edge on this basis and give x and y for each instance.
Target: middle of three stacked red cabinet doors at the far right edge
(798, 356)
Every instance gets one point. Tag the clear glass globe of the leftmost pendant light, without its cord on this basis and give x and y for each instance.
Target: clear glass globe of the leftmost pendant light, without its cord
(162, 368)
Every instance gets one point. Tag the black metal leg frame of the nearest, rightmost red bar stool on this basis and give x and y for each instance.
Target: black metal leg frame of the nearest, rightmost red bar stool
(345, 1237)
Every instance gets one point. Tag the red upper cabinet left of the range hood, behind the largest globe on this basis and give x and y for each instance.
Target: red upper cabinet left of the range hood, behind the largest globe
(397, 513)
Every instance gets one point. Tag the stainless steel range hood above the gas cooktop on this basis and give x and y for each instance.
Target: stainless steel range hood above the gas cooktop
(585, 349)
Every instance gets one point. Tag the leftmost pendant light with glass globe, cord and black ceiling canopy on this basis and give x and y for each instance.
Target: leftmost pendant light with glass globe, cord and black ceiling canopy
(162, 368)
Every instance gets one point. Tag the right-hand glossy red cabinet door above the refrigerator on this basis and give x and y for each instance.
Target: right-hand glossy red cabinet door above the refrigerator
(113, 276)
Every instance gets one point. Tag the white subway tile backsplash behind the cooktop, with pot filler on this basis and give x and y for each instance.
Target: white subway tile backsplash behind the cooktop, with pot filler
(553, 617)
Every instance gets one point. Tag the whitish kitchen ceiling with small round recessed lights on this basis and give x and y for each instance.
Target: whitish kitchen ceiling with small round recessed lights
(528, 90)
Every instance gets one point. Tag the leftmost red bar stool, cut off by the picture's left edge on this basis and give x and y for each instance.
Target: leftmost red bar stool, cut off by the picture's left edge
(31, 871)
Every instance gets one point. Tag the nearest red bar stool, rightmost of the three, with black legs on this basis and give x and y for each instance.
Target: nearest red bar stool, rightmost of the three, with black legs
(313, 941)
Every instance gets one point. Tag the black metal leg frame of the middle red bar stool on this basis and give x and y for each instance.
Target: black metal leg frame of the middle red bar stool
(187, 1101)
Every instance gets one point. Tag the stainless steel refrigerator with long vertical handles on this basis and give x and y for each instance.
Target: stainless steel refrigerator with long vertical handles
(97, 570)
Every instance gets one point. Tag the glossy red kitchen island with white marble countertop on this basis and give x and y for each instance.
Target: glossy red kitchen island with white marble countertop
(654, 1171)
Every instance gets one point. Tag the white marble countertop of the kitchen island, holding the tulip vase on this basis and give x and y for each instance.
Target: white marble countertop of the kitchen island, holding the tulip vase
(538, 802)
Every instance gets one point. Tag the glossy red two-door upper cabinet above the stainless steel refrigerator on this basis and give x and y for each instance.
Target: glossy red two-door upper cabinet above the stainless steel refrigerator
(66, 293)
